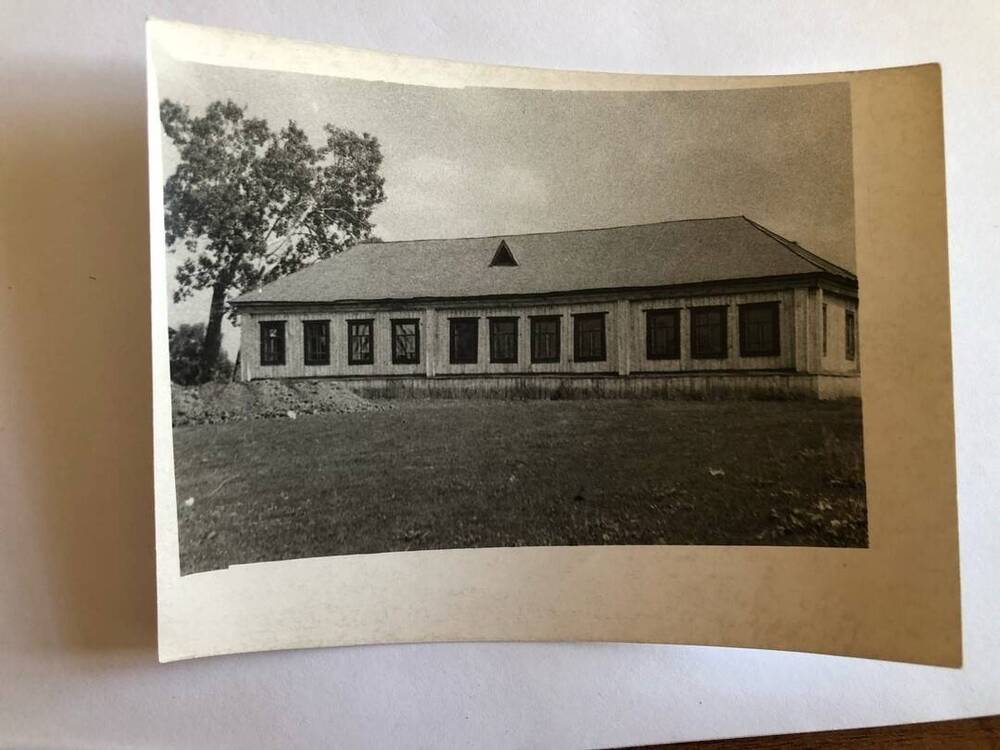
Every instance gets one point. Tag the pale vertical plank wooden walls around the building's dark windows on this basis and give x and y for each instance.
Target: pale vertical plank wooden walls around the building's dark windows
(800, 331)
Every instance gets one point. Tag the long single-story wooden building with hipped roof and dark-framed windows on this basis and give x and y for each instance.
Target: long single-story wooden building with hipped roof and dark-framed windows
(699, 307)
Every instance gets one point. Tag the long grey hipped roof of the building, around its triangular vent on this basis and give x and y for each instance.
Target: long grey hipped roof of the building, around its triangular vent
(646, 255)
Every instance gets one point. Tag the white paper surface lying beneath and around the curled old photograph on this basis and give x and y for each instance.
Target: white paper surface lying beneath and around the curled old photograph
(77, 637)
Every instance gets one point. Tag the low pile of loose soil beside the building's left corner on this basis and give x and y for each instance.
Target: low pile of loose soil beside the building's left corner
(212, 403)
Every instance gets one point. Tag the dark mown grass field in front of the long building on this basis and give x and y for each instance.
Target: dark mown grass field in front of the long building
(442, 474)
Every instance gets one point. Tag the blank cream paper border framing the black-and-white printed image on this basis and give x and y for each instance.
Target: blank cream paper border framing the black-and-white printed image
(897, 599)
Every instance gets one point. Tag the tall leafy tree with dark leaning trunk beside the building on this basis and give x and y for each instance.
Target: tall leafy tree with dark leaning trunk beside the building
(249, 204)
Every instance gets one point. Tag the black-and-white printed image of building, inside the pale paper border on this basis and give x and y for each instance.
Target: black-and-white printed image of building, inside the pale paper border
(413, 318)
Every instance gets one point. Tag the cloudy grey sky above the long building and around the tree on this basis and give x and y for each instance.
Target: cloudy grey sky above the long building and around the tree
(467, 162)
